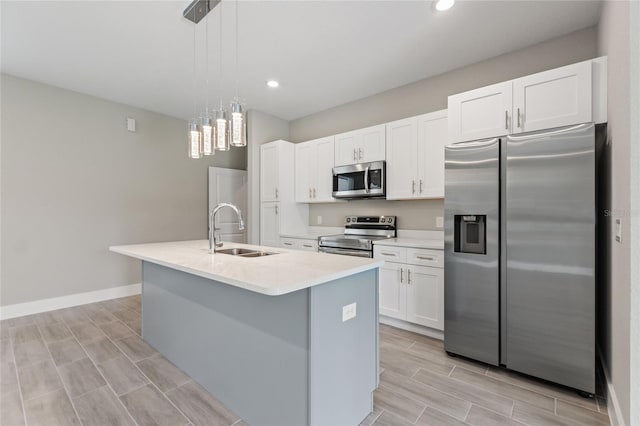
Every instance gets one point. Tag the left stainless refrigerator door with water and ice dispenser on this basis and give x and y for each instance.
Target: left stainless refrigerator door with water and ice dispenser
(472, 200)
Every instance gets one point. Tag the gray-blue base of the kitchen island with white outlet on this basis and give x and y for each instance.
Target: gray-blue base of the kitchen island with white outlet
(286, 360)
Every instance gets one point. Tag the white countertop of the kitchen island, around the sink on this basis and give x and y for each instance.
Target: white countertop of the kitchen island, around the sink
(285, 272)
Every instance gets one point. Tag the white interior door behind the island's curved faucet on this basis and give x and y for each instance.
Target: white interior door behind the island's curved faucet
(228, 186)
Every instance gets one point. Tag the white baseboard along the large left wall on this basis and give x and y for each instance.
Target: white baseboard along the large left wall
(44, 305)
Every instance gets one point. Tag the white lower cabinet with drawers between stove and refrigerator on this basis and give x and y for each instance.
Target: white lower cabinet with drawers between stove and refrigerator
(410, 291)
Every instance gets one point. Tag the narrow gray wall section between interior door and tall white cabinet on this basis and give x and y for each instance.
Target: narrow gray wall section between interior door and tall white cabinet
(262, 128)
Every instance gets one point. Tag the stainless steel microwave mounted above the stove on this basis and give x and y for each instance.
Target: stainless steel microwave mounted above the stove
(364, 180)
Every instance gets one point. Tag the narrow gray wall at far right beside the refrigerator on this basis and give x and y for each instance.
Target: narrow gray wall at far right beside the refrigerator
(613, 41)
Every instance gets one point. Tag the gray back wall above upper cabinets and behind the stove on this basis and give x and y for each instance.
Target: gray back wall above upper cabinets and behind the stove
(426, 96)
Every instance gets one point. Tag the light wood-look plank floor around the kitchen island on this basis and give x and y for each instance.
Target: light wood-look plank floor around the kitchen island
(88, 365)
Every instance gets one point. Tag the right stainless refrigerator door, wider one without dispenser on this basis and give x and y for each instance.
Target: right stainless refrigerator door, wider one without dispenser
(550, 254)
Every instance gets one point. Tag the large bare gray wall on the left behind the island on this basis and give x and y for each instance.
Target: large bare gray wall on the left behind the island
(74, 182)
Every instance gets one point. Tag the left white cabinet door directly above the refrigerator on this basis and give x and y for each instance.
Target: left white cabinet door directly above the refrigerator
(481, 113)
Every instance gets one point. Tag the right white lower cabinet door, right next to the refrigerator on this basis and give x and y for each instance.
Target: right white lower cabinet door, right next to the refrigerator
(425, 296)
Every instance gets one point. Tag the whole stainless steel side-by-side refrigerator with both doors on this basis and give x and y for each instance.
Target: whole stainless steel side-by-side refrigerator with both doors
(520, 253)
